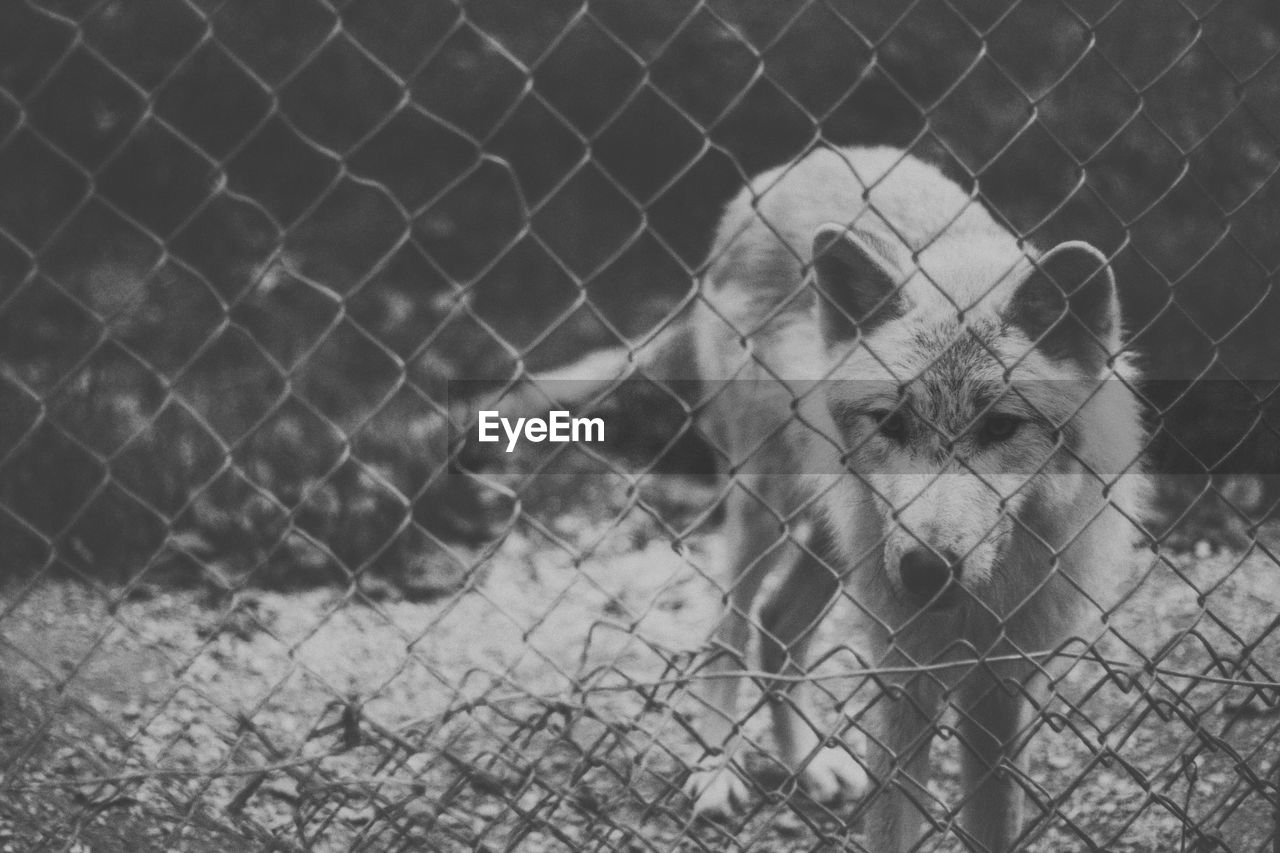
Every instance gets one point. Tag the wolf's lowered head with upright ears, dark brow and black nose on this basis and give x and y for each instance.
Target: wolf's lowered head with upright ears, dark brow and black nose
(964, 385)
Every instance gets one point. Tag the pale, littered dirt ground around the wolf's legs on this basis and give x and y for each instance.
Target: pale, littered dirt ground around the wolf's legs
(546, 709)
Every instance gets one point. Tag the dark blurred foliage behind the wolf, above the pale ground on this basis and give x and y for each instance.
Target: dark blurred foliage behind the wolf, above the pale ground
(246, 244)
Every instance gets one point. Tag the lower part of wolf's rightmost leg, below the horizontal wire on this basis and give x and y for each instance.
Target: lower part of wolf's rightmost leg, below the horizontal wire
(993, 728)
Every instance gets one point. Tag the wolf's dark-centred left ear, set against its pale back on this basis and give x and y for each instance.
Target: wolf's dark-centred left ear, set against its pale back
(857, 281)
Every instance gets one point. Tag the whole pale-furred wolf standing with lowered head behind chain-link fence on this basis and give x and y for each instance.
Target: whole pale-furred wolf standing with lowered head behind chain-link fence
(927, 414)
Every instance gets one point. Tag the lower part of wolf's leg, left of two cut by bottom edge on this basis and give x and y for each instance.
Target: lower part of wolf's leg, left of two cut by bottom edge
(906, 722)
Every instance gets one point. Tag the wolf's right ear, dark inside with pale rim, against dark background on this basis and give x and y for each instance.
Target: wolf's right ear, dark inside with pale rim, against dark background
(1069, 307)
